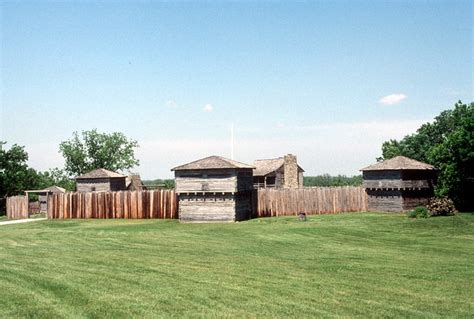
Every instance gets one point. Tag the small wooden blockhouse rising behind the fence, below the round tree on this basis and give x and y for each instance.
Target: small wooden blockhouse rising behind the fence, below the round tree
(101, 180)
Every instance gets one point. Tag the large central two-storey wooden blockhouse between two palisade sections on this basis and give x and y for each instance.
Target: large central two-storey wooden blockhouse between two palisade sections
(214, 189)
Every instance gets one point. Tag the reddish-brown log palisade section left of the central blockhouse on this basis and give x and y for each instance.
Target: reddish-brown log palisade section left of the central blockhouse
(123, 204)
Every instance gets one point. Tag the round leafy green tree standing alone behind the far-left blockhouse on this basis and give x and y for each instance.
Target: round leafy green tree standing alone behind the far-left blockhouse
(94, 150)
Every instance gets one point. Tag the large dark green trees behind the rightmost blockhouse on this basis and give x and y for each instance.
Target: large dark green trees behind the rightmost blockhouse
(448, 144)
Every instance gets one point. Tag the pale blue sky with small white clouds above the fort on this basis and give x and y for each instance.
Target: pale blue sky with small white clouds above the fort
(328, 81)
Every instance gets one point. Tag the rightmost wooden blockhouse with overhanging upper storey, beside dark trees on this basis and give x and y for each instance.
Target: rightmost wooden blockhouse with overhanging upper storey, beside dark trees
(398, 184)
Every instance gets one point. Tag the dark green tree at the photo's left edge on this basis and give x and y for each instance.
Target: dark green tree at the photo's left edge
(15, 175)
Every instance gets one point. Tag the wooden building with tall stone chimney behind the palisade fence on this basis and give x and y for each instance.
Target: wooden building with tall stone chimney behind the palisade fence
(281, 172)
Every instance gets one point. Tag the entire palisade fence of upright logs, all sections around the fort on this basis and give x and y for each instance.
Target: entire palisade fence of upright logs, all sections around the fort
(163, 203)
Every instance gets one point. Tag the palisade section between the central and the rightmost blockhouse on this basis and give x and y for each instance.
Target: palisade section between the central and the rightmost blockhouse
(309, 200)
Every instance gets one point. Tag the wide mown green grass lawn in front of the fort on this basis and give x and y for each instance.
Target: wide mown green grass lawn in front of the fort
(366, 265)
